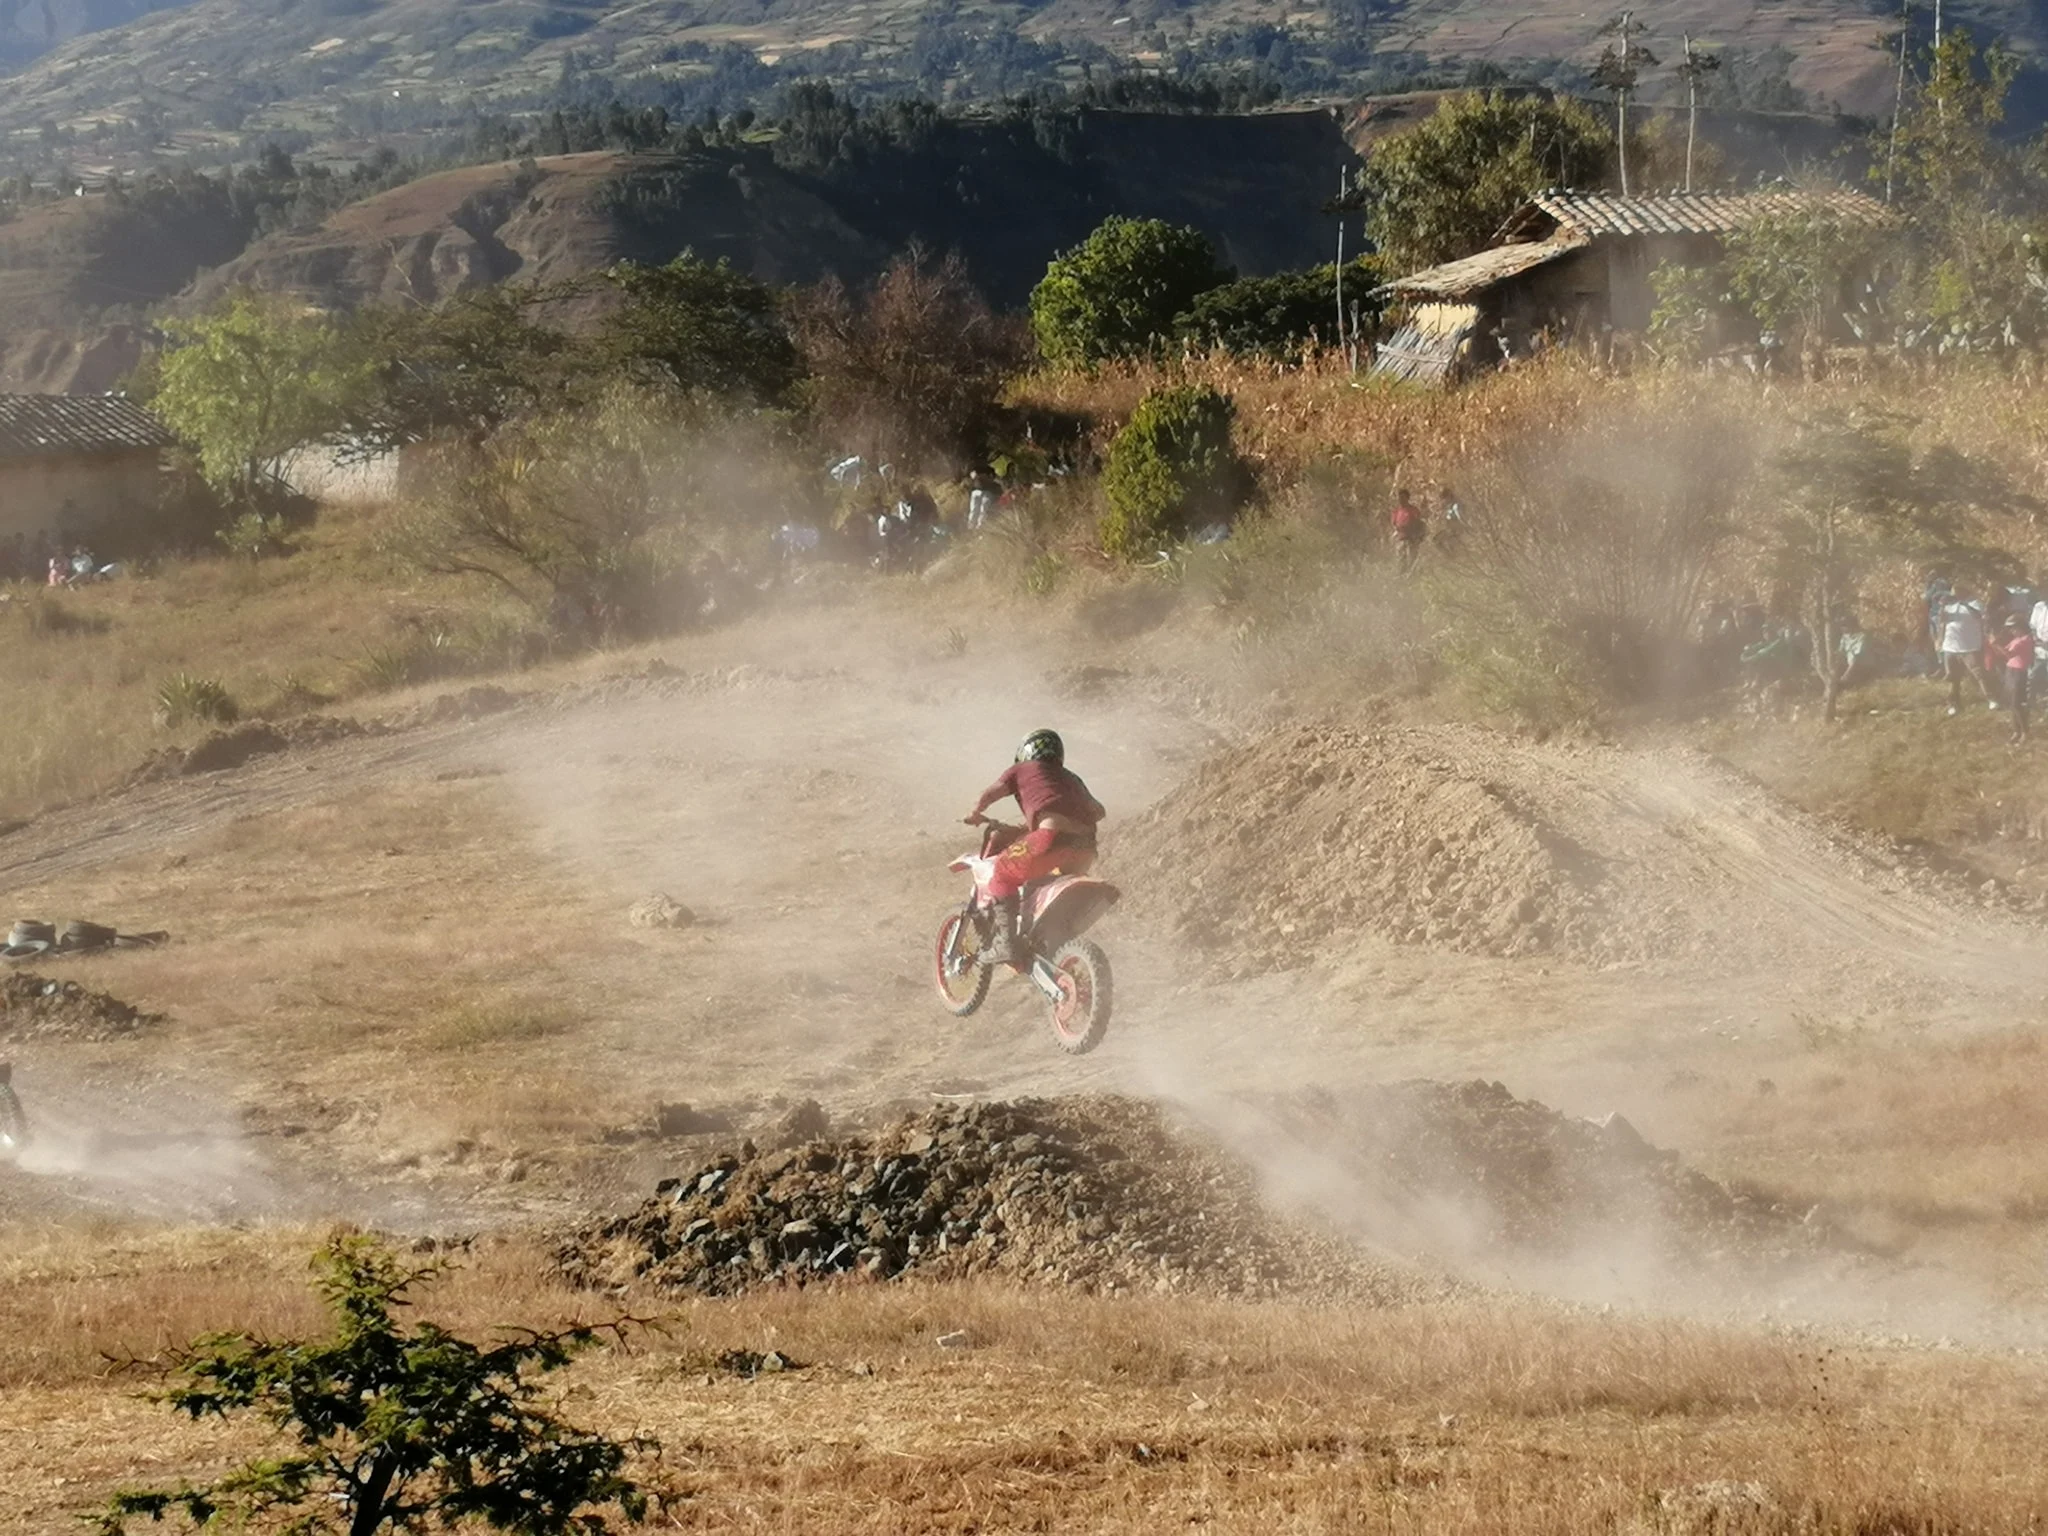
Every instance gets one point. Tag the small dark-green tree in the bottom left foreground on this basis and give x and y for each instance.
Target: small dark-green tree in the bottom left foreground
(398, 1428)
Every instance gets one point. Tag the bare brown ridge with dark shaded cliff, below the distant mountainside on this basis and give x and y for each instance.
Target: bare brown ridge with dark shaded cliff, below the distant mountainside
(1252, 183)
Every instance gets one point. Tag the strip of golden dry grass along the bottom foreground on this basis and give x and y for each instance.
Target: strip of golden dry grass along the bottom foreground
(1091, 1414)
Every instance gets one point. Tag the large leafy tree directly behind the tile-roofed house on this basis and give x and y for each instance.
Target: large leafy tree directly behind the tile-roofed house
(1445, 189)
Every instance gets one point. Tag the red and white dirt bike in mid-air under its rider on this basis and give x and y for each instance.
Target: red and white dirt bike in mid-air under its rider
(1070, 972)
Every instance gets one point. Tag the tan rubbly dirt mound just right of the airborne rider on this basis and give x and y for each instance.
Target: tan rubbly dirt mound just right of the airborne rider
(1279, 847)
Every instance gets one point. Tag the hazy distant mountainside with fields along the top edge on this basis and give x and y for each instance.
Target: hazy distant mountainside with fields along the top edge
(124, 75)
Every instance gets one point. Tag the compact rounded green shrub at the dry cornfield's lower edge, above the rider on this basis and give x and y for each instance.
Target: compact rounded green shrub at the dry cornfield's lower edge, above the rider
(1170, 470)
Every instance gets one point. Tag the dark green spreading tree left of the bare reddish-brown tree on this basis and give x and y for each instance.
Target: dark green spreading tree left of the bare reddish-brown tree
(703, 329)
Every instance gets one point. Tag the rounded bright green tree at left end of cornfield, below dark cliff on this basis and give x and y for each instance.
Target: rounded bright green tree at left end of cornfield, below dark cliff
(1119, 292)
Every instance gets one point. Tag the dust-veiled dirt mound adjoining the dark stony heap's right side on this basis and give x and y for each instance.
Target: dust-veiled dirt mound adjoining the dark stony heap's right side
(1474, 1166)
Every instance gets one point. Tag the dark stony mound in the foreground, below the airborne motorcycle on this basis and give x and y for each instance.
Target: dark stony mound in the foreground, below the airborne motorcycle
(1097, 1193)
